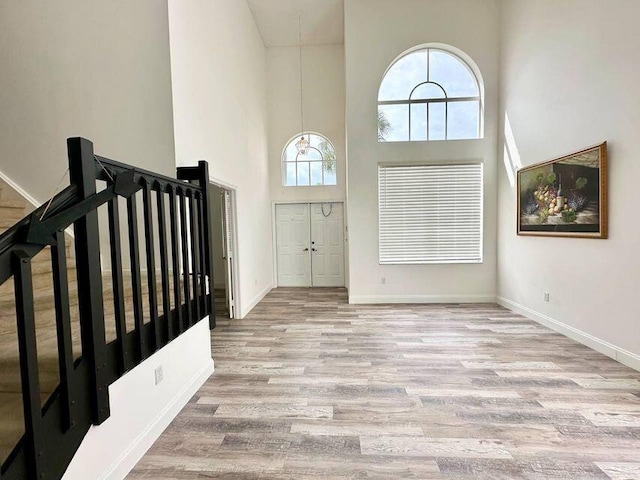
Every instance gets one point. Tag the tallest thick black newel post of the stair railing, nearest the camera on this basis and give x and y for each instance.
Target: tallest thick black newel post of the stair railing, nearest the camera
(87, 248)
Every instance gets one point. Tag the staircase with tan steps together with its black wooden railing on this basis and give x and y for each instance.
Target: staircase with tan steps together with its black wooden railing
(51, 391)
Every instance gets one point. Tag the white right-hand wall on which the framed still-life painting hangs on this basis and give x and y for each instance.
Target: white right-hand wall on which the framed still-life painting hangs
(569, 80)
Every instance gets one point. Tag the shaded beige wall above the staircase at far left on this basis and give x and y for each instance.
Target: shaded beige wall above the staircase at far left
(94, 69)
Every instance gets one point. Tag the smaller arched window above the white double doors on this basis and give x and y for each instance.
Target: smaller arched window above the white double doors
(315, 165)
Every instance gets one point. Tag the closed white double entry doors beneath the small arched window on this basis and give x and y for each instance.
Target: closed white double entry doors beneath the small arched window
(310, 244)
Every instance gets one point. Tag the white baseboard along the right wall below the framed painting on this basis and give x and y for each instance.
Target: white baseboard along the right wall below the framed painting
(619, 354)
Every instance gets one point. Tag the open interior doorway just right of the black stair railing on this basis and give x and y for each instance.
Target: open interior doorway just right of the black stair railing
(224, 248)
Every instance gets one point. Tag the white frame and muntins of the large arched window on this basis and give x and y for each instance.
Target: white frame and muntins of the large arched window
(428, 101)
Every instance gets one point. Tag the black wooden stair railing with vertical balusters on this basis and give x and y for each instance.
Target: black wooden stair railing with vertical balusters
(176, 289)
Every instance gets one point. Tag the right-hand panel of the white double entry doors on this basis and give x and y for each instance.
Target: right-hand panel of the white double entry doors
(327, 244)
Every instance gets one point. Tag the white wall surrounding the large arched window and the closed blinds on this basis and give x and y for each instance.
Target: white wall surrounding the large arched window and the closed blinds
(377, 31)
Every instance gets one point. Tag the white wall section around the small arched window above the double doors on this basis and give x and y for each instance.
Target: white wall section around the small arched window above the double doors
(324, 102)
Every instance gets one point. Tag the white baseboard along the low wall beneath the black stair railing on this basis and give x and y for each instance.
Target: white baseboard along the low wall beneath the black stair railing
(136, 450)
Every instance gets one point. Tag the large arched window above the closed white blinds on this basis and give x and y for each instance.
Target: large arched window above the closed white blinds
(429, 94)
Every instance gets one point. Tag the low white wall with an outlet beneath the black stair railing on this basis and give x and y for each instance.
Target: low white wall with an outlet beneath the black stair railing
(141, 410)
